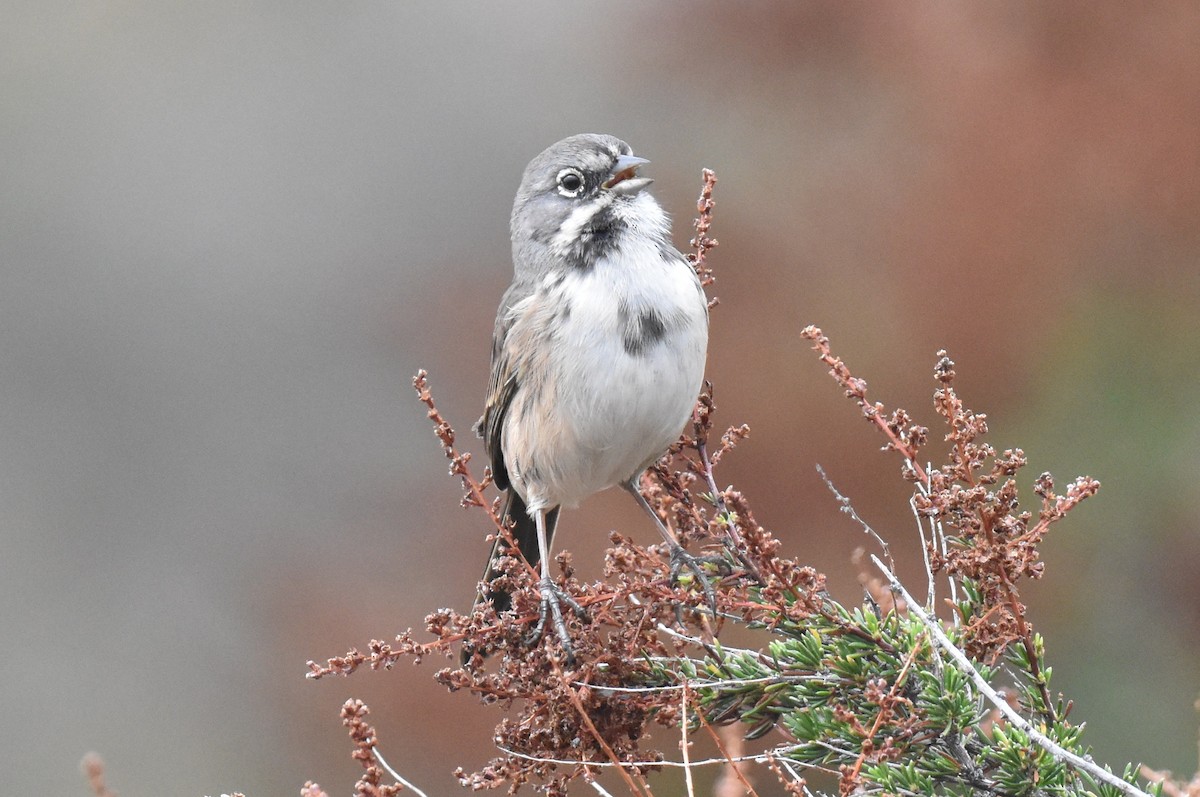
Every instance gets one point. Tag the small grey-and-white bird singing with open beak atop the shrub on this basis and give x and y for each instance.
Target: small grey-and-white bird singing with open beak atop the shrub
(598, 353)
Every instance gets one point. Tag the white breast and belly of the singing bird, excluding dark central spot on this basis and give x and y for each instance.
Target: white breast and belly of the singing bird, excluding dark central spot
(611, 411)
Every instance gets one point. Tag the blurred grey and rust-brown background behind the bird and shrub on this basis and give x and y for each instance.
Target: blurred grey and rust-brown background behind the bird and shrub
(232, 232)
